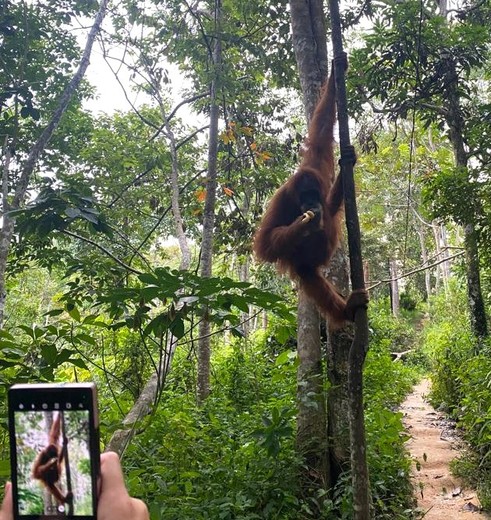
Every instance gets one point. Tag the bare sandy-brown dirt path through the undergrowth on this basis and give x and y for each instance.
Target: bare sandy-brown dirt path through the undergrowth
(440, 495)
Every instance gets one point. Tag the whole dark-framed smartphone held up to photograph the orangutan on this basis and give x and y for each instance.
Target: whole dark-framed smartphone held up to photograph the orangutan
(54, 450)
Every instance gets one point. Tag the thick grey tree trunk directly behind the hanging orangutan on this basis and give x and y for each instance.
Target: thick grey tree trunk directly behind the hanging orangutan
(310, 45)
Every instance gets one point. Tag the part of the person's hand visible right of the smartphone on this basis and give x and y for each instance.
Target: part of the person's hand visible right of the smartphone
(114, 501)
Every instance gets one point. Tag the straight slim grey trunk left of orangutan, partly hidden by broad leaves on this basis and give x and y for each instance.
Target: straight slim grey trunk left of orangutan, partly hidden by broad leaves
(209, 210)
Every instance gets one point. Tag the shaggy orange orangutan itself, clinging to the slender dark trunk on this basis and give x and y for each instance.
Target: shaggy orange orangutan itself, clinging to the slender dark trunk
(301, 246)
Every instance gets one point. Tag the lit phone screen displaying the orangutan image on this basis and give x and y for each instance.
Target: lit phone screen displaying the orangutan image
(53, 461)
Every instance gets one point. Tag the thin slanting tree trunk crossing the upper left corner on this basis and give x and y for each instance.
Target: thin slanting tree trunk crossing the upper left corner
(38, 148)
